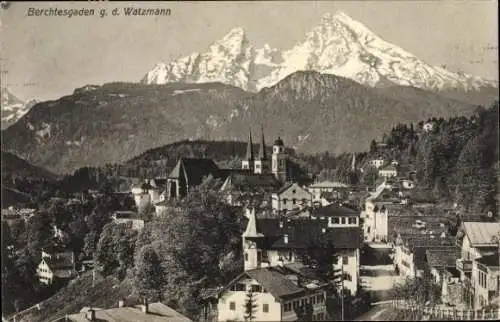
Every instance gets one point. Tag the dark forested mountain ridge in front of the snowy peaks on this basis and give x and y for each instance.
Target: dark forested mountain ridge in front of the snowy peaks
(312, 112)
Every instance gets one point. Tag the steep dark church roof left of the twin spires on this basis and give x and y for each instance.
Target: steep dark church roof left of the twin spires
(194, 170)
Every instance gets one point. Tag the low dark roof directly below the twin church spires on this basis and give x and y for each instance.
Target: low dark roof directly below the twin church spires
(243, 181)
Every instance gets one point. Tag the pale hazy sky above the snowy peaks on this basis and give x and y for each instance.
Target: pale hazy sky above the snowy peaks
(47, 57)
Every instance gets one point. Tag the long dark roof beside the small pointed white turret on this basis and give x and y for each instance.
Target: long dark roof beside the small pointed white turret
(304, 233)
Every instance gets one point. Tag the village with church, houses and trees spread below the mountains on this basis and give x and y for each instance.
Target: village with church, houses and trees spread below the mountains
(317, 250)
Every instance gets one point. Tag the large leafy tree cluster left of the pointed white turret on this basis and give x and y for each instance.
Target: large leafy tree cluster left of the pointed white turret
(191, 249)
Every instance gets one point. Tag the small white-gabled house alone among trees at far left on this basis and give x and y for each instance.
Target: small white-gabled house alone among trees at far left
(56, 264)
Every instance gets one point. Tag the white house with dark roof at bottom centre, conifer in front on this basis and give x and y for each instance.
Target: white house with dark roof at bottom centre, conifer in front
(281, 293)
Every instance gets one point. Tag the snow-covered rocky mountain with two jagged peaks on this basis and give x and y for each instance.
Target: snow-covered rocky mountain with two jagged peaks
(339, 45)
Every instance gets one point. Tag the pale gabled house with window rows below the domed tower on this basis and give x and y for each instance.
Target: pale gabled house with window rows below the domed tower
(291, 197)
